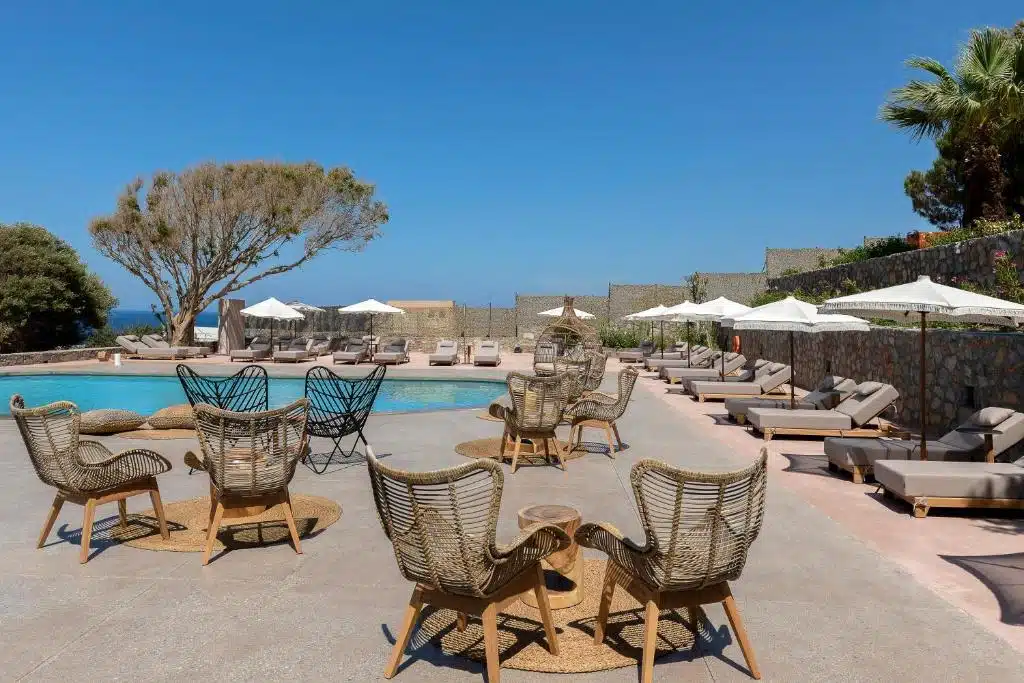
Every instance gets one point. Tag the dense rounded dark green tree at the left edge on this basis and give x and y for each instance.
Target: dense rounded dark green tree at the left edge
(49, 297)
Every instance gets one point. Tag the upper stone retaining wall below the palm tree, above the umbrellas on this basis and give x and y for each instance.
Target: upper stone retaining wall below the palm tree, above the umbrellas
(971, 261)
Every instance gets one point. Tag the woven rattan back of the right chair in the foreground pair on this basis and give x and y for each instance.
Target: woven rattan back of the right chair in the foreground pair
(701, 525)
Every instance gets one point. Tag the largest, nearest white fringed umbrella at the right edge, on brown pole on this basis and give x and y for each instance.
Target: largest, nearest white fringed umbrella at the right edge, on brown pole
(928, 301)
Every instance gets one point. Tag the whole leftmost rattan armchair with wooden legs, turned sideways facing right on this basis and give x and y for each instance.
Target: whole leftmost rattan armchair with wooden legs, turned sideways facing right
(86, 473)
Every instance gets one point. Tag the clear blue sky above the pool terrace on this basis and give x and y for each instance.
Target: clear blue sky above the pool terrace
(530, 147)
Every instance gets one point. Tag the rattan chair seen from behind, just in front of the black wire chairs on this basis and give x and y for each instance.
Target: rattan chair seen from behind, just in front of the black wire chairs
(251, 459)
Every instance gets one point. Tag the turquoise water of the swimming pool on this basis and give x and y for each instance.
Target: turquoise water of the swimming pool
(146, 395)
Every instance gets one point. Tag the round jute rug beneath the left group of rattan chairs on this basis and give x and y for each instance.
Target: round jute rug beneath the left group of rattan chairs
(188, 523)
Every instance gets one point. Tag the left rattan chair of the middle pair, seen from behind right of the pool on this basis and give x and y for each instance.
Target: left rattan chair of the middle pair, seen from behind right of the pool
(538, 407)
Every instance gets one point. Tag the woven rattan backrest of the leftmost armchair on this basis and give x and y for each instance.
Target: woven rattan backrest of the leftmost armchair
(52, 438)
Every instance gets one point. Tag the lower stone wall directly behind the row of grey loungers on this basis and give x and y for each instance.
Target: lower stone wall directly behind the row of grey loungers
(965, 371)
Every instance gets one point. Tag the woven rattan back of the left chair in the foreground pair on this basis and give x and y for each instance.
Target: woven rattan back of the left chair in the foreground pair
(443, 525)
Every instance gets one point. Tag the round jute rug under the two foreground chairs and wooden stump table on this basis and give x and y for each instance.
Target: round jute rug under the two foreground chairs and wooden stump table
(523, 646)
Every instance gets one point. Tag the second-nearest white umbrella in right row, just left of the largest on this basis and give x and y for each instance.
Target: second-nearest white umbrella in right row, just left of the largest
(792, 315)
